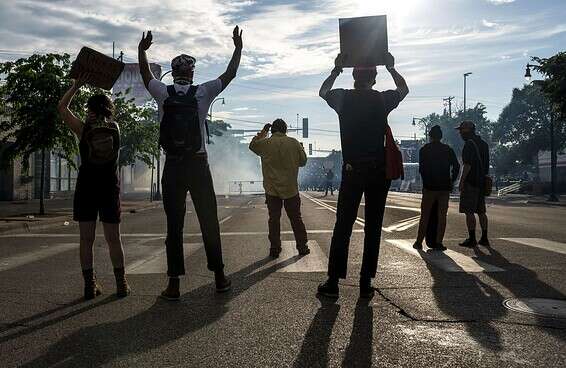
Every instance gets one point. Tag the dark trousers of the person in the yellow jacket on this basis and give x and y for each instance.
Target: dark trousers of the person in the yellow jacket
(293, 209)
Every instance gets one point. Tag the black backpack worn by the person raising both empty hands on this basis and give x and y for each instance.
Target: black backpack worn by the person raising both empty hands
(180, 131)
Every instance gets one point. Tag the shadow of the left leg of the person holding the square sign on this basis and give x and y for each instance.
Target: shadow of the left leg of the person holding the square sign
(314, 350)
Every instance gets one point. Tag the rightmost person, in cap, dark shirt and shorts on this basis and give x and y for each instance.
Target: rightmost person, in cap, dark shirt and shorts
(475, 158)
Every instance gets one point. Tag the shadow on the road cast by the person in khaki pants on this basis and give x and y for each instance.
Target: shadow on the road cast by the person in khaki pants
(464, 298)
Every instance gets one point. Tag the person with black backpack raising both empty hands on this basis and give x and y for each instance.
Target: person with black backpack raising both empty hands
(186, 165)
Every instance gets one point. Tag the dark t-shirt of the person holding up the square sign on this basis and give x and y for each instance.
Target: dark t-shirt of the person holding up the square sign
(363, 118)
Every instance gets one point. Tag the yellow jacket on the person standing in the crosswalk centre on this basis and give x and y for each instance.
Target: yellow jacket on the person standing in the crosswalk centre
(281, 157)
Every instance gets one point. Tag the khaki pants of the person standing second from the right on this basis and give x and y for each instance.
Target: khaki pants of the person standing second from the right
(430, 197)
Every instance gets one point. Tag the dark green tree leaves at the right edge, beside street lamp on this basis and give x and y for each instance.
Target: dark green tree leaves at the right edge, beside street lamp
(554, 86)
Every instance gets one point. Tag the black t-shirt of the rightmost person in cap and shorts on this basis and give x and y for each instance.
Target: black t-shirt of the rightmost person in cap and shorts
(479, 164)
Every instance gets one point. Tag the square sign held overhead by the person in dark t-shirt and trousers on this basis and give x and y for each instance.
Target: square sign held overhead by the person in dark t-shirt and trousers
(363, 41)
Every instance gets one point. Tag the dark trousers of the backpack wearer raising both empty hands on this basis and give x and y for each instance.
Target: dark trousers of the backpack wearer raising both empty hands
(190, 174)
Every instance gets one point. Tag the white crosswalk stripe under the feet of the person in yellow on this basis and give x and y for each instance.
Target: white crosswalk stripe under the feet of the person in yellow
(316, 261)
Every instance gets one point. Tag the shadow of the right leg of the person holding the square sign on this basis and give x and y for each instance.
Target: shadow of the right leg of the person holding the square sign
(359, 352)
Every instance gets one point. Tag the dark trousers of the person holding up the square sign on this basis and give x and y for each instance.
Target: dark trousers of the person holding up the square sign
(357, 179)
